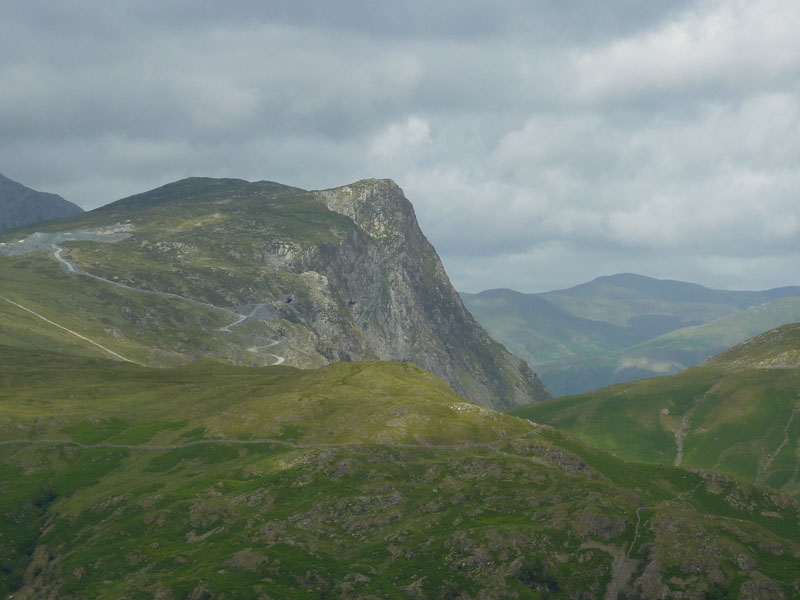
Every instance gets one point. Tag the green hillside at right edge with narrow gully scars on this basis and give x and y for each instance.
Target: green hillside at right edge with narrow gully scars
(737, 413)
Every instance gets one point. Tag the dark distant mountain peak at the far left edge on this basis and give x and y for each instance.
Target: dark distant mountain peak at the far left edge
(20, 206)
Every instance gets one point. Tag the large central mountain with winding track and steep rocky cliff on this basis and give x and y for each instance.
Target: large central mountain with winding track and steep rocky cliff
(252, 273)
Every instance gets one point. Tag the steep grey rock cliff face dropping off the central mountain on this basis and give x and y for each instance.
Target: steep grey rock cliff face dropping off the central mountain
(400, 297)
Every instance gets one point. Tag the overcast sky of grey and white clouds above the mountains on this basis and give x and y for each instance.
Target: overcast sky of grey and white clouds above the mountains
(542, 143)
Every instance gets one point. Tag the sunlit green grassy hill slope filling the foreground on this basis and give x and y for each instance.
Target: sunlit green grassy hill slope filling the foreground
(356, 480)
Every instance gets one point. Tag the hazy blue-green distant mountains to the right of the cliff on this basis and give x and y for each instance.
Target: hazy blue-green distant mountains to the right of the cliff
(624, 327)
